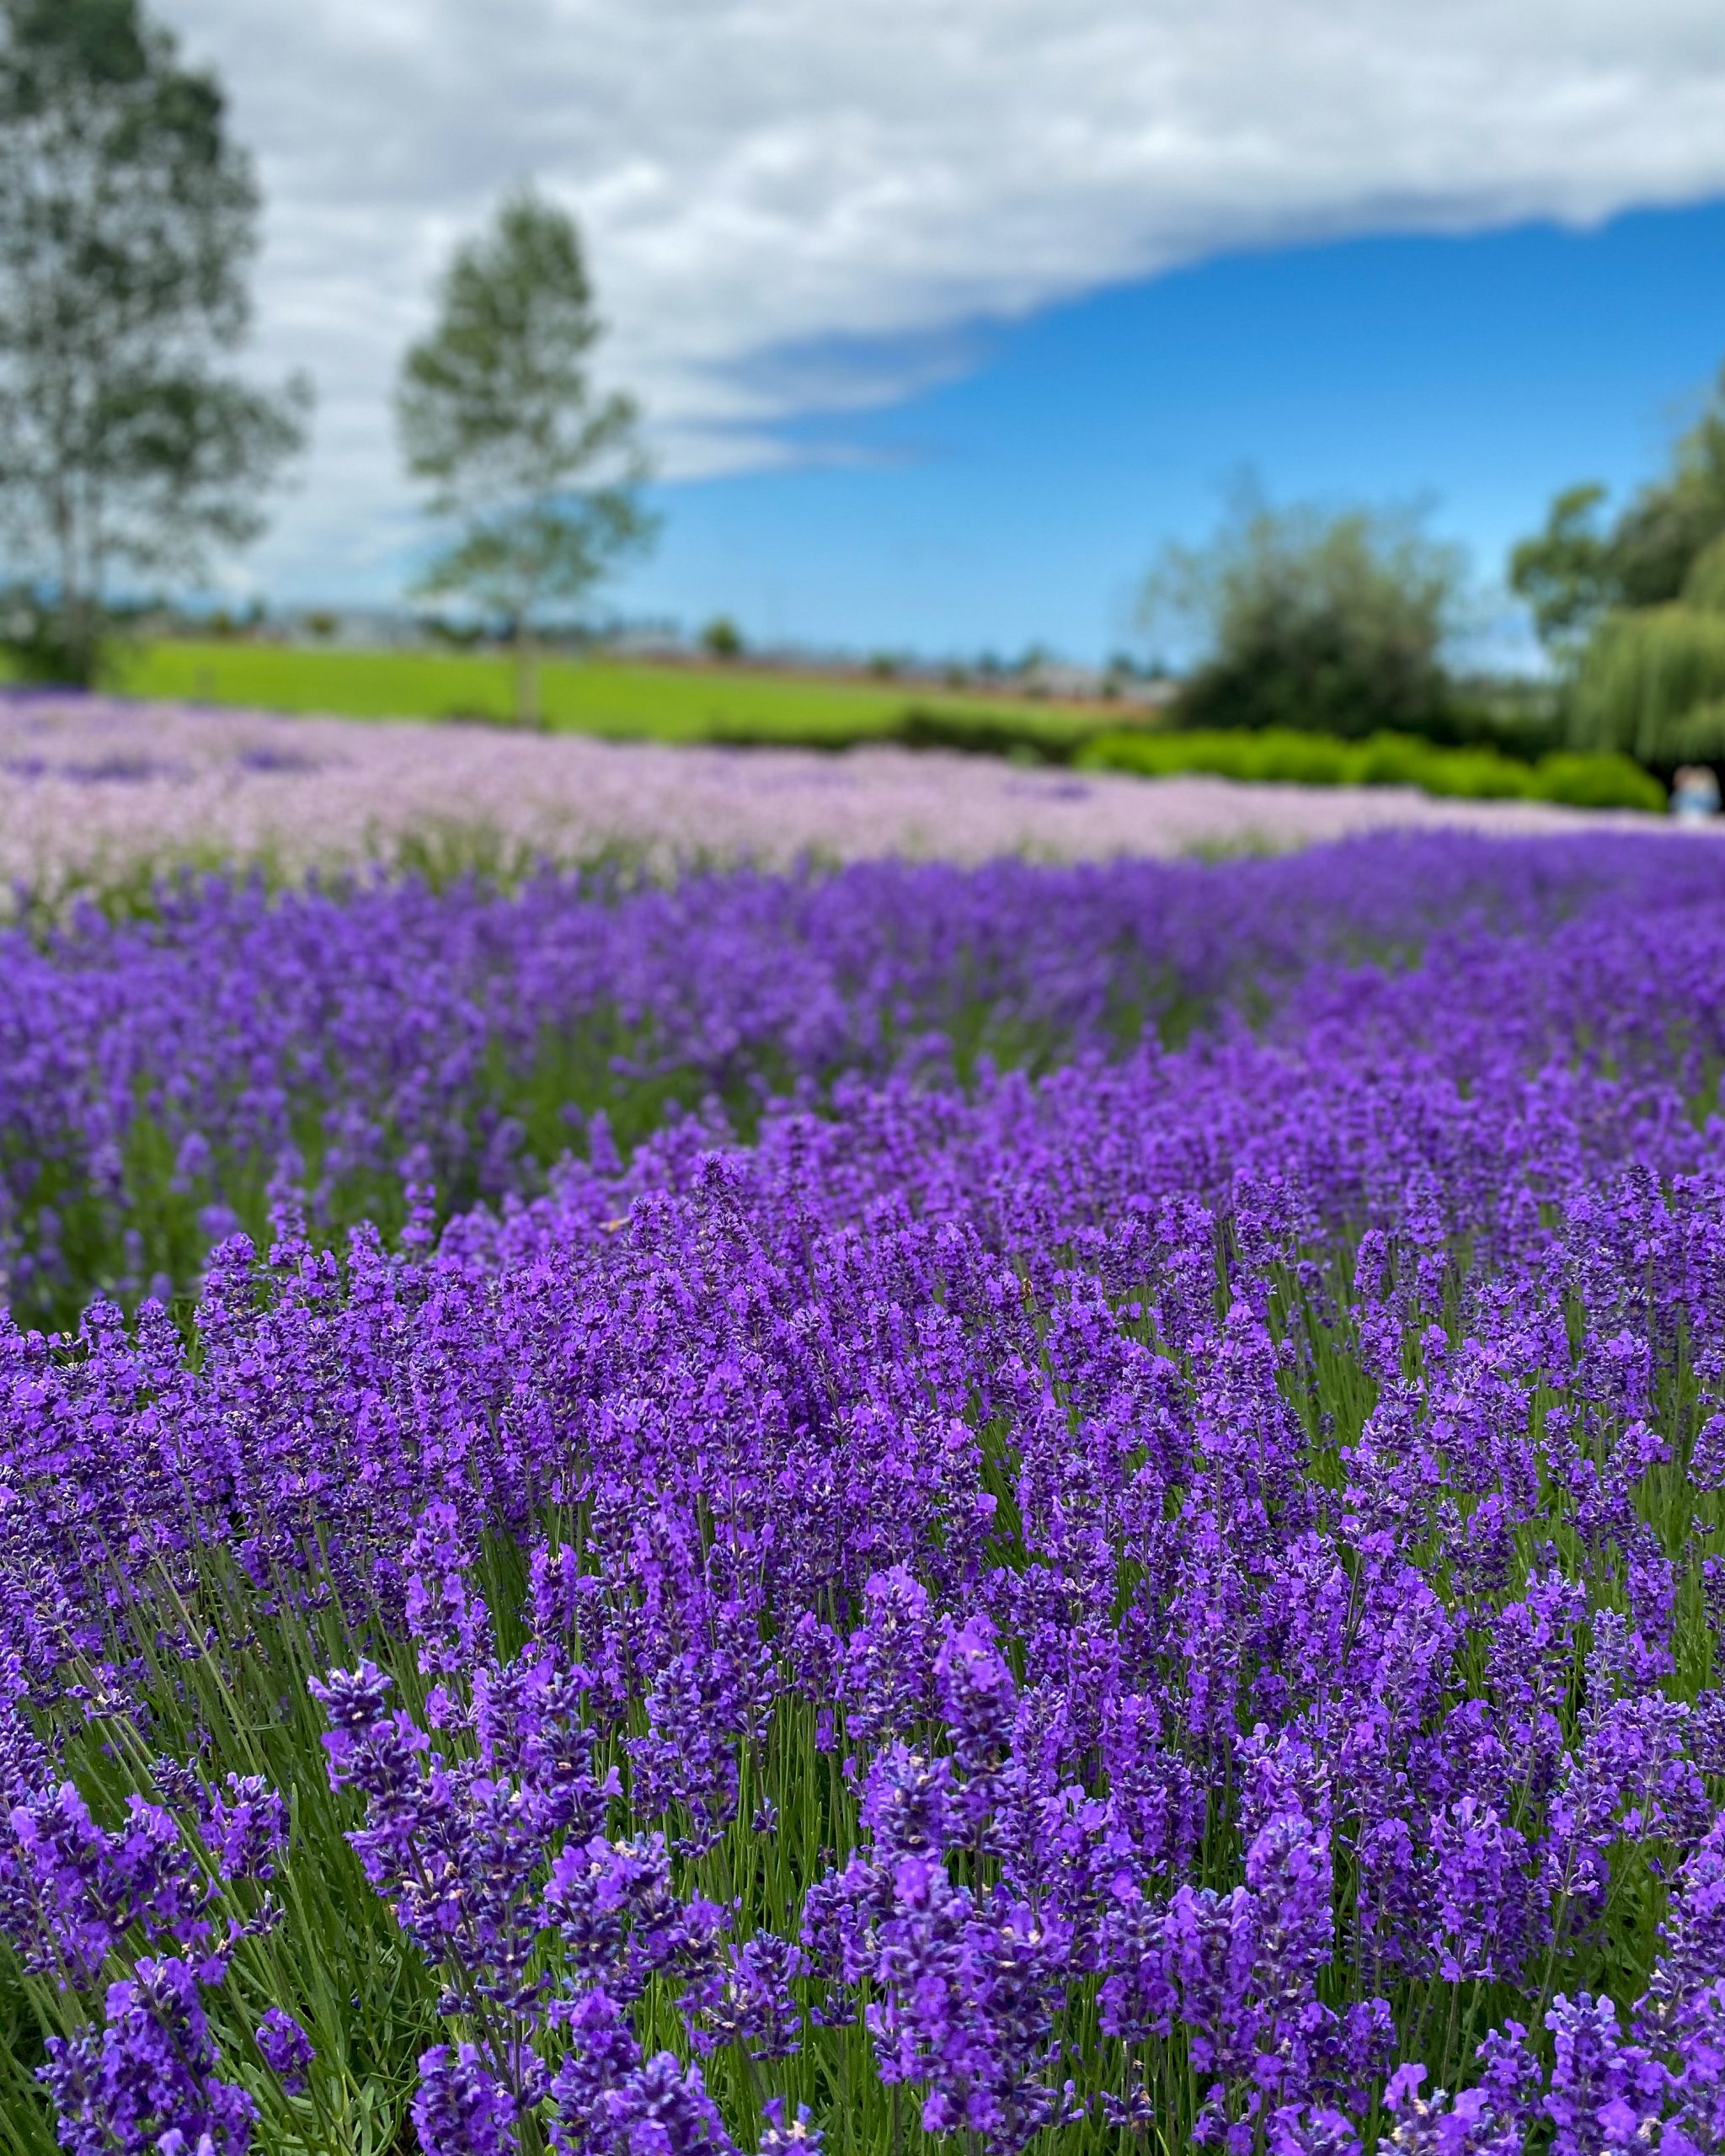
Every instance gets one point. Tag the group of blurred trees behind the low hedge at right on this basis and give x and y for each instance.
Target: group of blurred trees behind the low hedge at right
(1347, 622)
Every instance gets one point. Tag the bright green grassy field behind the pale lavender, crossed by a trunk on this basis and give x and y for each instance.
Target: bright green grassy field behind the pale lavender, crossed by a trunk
(603, 697)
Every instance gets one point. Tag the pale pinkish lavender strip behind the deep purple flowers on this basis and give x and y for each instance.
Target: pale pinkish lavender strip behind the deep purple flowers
(92, 788)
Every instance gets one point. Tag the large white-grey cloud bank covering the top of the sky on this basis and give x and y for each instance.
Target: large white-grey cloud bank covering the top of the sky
(801, 204)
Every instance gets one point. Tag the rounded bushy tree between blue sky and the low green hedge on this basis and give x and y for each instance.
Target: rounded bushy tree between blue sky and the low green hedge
(1331, 622)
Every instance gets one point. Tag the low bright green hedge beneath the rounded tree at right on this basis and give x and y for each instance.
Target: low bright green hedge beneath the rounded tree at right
(1388, 760)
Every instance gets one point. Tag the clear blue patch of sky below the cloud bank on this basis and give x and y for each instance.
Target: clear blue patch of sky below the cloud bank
(1023, 499)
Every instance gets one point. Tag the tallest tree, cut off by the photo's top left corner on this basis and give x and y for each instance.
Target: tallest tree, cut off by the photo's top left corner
(128, 223)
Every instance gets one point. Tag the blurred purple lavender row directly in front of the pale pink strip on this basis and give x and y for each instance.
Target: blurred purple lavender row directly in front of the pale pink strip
(163, 1070)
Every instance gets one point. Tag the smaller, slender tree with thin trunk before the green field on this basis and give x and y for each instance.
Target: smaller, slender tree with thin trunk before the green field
(497, 415)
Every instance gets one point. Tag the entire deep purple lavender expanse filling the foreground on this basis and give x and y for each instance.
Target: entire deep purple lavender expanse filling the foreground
(911, 1508)
